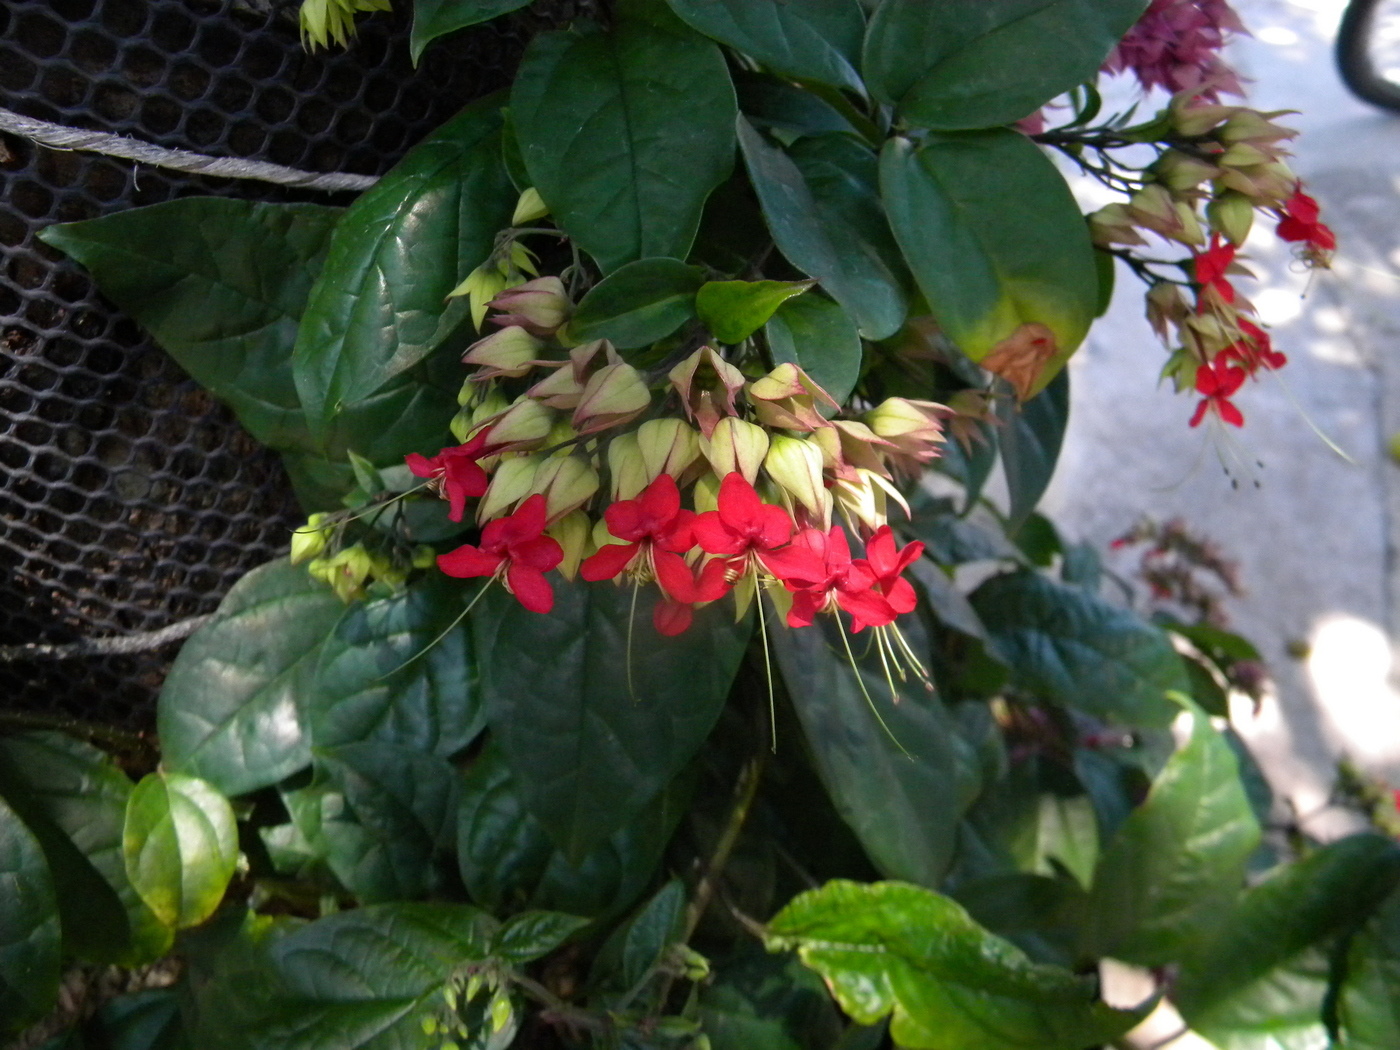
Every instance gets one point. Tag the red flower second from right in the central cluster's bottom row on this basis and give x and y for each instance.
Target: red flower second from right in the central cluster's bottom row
(820, 573)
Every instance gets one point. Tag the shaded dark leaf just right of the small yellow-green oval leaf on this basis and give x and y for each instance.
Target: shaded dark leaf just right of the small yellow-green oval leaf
(395, 811)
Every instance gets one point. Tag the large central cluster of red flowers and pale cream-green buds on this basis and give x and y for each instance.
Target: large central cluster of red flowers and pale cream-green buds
(577, 460)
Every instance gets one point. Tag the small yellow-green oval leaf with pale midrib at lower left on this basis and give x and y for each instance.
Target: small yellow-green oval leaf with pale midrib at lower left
(181, 846)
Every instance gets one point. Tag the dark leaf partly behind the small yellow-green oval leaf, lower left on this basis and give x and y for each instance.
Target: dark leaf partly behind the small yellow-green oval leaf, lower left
(75, 799)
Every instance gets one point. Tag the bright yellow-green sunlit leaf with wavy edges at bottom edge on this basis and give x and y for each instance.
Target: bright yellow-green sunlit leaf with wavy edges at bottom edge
(897, 950)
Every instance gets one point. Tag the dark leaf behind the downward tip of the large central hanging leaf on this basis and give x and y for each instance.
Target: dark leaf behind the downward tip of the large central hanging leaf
(507, 859)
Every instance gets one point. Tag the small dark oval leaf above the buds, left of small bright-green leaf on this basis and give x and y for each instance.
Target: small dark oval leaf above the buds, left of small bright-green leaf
(639, 303)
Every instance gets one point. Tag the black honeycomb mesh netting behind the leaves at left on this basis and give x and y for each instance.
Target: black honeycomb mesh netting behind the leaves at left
(131, 499)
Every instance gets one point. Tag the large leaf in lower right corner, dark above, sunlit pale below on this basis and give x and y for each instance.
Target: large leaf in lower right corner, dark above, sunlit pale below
(1249, 982)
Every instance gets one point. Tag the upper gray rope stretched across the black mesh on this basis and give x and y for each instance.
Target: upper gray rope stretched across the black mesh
(62, 138)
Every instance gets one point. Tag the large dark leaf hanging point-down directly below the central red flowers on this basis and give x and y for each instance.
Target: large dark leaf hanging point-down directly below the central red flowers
(594, 727)
